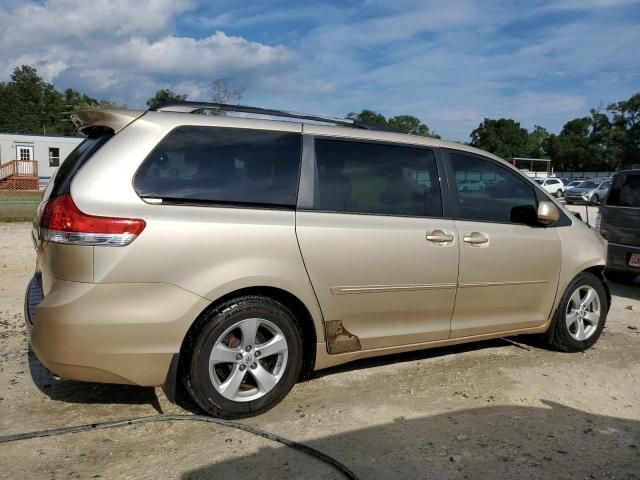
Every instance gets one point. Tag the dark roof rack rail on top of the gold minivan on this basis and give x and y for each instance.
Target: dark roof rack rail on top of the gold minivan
(190, 107)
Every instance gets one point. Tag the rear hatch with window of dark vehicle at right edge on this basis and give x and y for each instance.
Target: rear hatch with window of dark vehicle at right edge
(620, 215)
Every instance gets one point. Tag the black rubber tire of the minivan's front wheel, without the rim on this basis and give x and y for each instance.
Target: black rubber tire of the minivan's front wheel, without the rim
(558, 336)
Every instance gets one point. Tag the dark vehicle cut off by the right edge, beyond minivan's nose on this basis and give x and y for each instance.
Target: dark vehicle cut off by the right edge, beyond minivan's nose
(619, 222)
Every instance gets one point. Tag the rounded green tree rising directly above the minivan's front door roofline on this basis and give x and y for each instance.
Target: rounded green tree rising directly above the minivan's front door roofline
(503, 137)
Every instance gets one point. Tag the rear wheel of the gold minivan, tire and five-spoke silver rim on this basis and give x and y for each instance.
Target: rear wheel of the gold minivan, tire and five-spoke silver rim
(245, 357)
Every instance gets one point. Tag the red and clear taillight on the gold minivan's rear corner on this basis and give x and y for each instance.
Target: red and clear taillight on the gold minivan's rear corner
(63, 222)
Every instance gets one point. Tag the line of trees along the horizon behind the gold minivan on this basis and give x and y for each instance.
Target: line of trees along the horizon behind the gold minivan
(607, 139)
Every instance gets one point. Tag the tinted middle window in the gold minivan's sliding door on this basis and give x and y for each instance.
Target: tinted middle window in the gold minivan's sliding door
(376, 178)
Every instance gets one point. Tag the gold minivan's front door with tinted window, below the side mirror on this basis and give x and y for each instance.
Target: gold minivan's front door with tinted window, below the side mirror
(508, 270)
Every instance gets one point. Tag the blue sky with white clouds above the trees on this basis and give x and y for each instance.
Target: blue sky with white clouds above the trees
(450, 63)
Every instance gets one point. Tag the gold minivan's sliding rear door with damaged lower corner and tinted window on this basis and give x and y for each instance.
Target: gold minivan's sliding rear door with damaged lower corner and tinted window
(381, 258)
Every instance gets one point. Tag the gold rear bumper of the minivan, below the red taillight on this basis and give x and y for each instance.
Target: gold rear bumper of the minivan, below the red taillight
(111, 333)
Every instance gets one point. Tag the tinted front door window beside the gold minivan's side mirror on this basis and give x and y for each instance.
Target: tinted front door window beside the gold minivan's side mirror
(487, 192)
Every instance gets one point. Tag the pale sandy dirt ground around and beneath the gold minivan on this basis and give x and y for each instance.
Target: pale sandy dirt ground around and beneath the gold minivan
(490, 410)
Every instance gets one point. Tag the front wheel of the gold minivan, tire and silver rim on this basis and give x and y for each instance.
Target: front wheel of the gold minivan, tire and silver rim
(581, 315)
